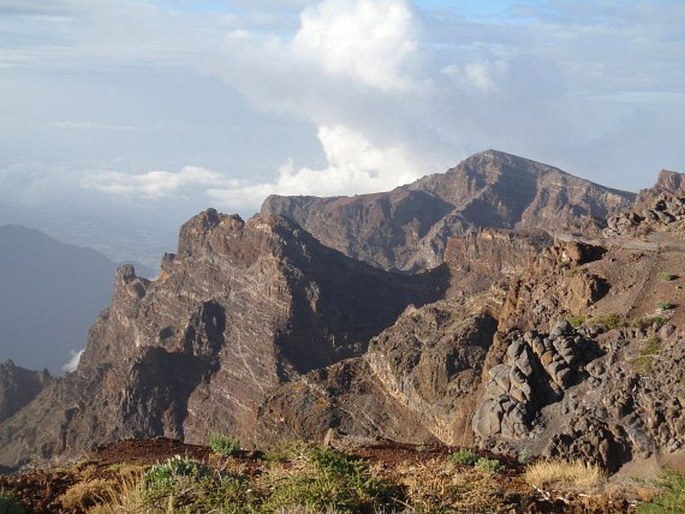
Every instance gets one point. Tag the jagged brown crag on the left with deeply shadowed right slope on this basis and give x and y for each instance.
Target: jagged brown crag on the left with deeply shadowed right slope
(239, 309)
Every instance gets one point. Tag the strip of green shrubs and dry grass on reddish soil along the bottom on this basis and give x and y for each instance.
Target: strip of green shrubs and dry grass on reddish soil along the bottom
(306, 478)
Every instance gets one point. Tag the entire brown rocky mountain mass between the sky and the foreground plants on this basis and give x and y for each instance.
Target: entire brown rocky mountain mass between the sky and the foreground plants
(491, 305)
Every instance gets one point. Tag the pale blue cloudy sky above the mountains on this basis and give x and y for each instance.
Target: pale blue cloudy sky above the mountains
(117, 113)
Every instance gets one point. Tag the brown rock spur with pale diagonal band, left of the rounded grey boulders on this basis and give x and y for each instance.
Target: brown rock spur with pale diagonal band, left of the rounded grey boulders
(416, 382)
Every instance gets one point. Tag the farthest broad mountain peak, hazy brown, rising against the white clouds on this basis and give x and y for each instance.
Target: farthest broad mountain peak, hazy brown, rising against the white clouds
(408, 228)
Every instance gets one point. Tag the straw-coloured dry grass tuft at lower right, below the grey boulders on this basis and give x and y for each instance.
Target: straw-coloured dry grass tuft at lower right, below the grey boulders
(562, 475)
